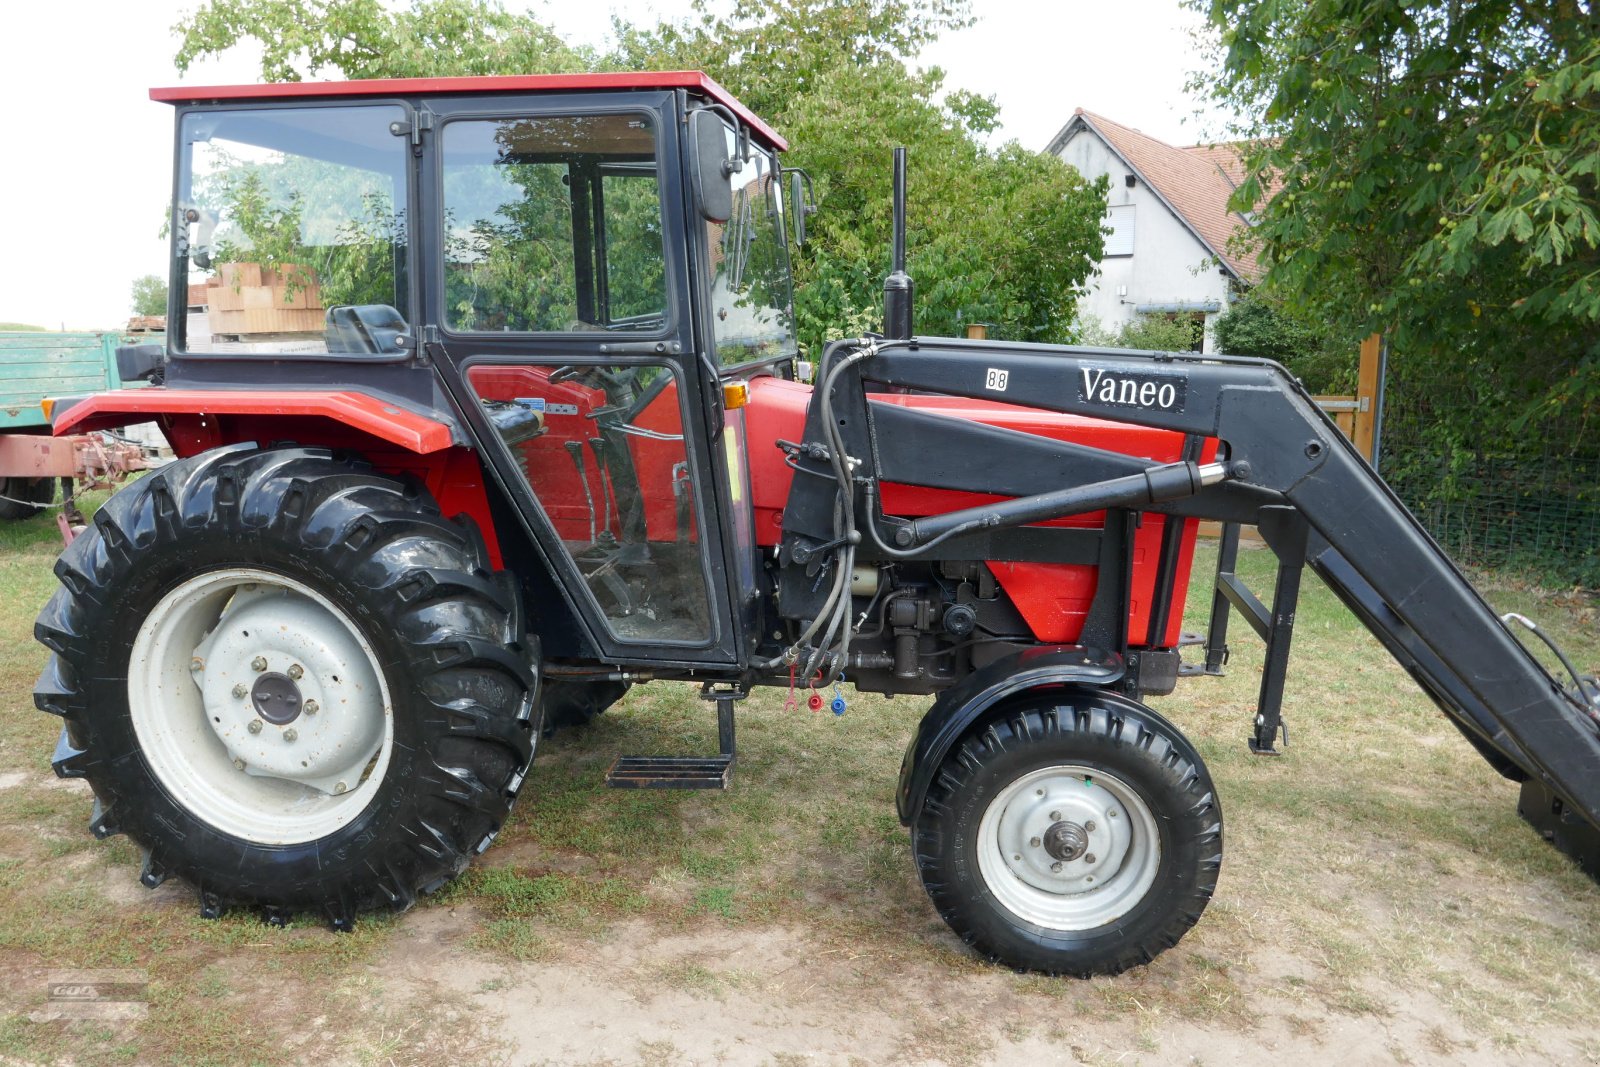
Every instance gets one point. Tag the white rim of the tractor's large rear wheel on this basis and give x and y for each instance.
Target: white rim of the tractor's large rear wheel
(260, 706)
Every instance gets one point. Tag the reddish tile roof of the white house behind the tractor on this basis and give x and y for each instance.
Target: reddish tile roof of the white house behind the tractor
(1196, 182)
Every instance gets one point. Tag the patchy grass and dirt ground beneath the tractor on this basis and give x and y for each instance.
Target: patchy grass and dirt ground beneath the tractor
(1382, 903)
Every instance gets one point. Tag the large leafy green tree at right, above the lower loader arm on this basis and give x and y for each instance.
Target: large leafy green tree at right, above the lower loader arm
(1438, 166)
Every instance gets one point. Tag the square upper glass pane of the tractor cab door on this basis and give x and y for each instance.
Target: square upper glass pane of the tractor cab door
(553, 225)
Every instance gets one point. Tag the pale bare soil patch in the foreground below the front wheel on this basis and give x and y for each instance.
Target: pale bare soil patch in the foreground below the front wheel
(751, 996)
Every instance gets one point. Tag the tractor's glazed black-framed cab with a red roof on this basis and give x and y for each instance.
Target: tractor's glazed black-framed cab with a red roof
(567, 266)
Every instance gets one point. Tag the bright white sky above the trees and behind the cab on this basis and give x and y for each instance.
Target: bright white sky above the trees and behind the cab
(86, 167)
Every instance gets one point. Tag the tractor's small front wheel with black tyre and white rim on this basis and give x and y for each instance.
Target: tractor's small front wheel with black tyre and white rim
(1076, 836)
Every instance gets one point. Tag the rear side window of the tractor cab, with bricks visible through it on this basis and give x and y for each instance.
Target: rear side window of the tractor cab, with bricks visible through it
(290, 231)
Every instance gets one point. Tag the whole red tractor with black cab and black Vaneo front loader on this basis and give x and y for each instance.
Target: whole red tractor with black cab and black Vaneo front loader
(534, 434)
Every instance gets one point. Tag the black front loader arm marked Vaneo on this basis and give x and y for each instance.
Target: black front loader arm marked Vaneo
(1278, 449)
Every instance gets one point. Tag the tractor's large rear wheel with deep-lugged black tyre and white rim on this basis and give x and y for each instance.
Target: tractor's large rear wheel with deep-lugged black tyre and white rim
(290, 681)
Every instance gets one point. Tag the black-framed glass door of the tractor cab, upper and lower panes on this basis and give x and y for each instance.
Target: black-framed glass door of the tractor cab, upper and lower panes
(559, 306)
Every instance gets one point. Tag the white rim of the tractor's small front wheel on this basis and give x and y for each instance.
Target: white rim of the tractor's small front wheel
(1070, 849)
